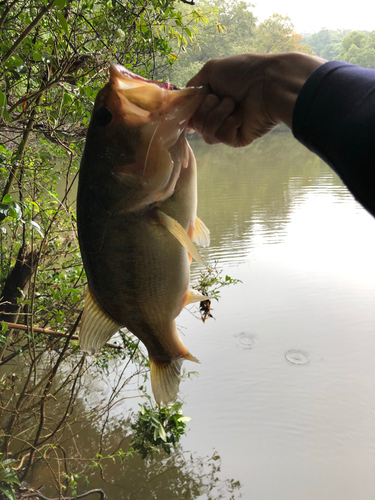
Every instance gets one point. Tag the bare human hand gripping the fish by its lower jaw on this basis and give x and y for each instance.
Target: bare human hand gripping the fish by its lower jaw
(251, 94)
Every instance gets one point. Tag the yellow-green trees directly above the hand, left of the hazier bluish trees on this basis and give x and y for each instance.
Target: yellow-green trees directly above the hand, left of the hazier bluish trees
(231, 28)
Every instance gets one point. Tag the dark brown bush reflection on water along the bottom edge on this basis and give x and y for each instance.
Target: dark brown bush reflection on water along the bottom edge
(182, 475)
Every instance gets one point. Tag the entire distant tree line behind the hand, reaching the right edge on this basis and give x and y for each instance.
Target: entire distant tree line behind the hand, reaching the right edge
(232, 28)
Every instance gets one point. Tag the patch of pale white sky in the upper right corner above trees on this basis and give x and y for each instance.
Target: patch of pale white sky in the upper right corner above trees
(311, 17)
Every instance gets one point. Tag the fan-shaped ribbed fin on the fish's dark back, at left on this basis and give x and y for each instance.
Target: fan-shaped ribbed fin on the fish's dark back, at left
(96, 327)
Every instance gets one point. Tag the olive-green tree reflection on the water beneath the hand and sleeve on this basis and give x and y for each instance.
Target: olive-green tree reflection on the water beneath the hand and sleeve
(249, 196)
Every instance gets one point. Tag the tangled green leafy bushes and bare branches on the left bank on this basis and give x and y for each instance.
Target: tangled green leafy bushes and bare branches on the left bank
(54, 58)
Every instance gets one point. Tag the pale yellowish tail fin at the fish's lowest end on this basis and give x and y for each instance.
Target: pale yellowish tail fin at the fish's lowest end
(165, 378)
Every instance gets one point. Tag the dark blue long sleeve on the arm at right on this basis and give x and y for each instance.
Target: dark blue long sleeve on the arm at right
(334, 116)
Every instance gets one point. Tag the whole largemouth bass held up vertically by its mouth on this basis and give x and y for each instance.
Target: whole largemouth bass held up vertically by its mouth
(137, 220)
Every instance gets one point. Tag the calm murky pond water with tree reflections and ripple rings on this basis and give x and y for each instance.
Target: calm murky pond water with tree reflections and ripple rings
(286, 386)
